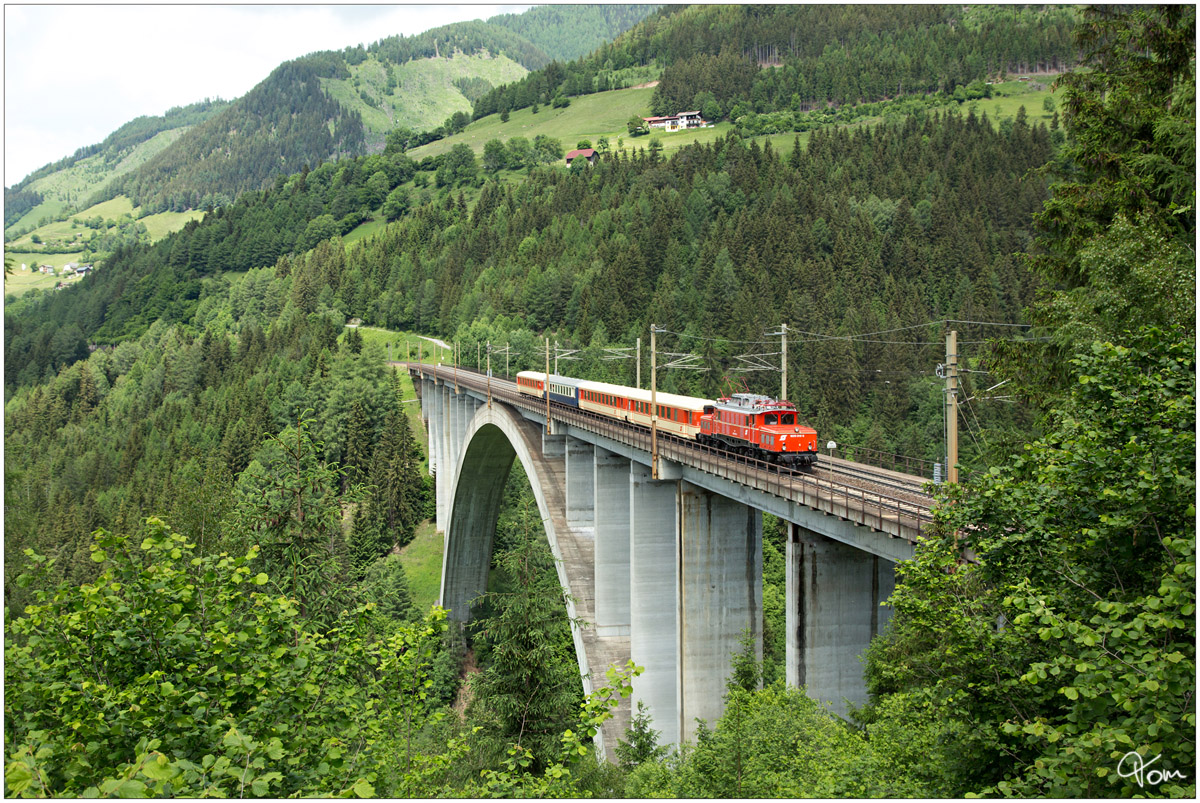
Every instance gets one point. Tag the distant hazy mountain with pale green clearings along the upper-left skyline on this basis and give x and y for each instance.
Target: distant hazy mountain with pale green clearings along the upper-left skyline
(323, 106)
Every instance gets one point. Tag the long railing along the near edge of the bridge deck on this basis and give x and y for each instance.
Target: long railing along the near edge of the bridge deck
(878, 511)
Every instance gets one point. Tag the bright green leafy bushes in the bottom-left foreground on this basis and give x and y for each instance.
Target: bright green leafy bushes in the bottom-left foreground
(176, 674)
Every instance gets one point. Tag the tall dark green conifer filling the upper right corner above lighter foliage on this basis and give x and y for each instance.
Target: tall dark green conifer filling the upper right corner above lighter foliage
(1124, 208)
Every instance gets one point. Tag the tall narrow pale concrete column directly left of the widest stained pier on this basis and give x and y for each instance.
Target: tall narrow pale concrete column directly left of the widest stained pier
(655, 598)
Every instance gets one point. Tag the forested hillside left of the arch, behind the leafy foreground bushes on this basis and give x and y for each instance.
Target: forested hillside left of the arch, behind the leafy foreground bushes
(155, 422)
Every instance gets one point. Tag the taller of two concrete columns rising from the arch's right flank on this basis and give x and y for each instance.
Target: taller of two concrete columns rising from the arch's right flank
(611, 504)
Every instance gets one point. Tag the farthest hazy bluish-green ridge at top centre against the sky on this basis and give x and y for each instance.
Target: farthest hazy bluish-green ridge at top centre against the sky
(566, 33)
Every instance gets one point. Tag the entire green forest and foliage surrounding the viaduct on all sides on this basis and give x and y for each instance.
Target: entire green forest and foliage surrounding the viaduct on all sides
(209, 477)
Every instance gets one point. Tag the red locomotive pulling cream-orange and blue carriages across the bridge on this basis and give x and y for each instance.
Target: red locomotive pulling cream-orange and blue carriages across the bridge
(747, 424)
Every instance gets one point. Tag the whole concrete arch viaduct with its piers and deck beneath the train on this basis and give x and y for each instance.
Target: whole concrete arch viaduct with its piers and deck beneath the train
(668, 571)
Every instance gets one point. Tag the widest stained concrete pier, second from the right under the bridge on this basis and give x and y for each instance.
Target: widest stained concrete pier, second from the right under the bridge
(721, 546)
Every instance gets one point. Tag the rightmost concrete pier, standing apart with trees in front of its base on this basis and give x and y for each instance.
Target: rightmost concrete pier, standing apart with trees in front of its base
(835, 595)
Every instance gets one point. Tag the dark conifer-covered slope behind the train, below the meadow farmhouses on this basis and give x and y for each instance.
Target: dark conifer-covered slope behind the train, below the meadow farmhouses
(863, 232)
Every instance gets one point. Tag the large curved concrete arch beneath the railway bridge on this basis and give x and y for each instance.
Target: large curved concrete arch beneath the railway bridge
(493, 441)
